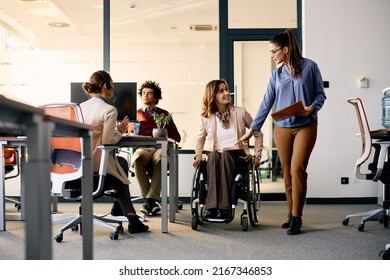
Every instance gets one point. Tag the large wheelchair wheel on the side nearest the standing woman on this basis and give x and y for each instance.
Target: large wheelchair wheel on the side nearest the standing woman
(254, 196)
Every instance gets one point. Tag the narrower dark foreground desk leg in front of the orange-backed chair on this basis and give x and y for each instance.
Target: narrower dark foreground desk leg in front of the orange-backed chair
(87, 200)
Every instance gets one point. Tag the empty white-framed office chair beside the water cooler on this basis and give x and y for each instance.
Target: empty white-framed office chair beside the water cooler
(378, 169)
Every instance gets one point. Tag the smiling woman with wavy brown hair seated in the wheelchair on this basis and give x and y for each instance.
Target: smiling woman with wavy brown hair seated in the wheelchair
(222, 124)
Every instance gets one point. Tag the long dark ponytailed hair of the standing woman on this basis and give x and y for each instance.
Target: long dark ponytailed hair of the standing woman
(287, 39)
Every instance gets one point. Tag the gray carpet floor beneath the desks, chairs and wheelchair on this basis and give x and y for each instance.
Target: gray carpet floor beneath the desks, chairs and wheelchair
(323, 238)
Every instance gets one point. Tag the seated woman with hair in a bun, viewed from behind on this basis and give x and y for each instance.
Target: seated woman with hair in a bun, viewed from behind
(102, 116)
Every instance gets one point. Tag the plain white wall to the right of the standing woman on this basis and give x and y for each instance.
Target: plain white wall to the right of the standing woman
(348, 39)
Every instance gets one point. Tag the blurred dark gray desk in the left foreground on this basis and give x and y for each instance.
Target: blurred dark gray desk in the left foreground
(19, 119)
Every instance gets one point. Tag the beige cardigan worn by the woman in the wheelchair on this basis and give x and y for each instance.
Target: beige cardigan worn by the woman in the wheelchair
(240, 119)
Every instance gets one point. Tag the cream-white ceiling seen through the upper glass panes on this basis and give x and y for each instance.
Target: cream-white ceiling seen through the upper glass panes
(149, 21)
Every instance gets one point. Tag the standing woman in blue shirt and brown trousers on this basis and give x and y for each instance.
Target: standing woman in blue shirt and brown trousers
(296, 79)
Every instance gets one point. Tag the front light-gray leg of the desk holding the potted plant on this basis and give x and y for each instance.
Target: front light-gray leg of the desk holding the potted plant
(164, 191)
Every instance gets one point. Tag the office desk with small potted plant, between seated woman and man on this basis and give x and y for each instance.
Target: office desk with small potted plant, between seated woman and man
(170, 158)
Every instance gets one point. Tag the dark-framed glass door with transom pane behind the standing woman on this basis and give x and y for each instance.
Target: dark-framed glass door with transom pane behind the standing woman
(250, 65)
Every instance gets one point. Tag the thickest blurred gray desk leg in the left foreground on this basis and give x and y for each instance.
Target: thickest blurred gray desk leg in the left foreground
(38, 208)
